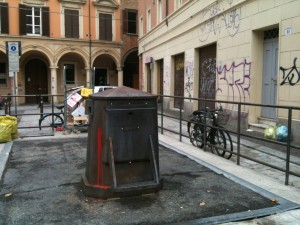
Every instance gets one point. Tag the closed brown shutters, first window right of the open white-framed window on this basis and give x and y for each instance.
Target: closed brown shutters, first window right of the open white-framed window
(71, 23)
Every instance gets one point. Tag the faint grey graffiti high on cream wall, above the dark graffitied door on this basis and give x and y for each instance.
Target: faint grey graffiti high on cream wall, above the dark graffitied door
(219, 19)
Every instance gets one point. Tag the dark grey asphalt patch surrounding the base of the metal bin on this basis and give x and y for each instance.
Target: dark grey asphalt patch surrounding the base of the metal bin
(41, 185)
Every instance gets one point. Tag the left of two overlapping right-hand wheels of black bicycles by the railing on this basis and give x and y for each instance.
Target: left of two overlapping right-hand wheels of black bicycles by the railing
(217, 140)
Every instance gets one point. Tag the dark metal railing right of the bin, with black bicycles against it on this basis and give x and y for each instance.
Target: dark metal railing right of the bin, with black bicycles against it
(181, 117)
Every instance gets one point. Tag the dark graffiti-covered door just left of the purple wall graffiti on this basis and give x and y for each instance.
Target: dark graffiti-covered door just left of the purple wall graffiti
(207, 75)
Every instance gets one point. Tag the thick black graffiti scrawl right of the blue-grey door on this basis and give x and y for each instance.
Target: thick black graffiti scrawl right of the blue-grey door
(290, 75)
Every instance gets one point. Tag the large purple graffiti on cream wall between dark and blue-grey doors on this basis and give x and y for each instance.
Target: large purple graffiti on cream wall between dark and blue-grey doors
(234, 79)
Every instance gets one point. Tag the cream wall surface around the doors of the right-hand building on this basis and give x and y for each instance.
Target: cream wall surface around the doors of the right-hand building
(235, 26)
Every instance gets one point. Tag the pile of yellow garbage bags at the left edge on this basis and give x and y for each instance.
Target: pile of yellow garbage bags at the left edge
(8, 128)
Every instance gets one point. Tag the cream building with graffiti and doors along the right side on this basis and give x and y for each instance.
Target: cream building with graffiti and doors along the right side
(233, 50)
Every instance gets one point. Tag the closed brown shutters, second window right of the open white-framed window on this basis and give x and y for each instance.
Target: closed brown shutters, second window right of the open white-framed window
(105, 26)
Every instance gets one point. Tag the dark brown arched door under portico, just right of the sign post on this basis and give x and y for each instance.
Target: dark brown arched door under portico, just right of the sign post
(36, 80)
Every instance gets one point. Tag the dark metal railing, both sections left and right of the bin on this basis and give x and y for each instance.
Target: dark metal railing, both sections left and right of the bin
(181, 118)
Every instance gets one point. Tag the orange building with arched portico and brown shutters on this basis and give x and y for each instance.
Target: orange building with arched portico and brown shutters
(90, 41)
